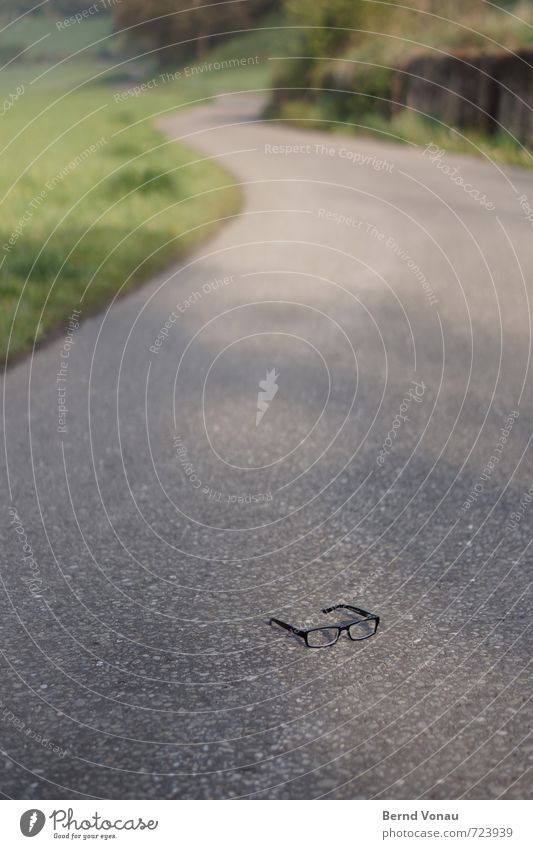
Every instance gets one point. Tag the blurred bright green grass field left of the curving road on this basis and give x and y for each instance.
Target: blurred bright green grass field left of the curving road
(89, 223)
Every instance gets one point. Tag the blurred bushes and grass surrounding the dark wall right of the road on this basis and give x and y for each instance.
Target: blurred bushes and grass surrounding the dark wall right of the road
(342, 76)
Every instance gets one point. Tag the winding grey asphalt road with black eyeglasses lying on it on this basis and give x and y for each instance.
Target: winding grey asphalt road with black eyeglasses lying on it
(147, 541)
